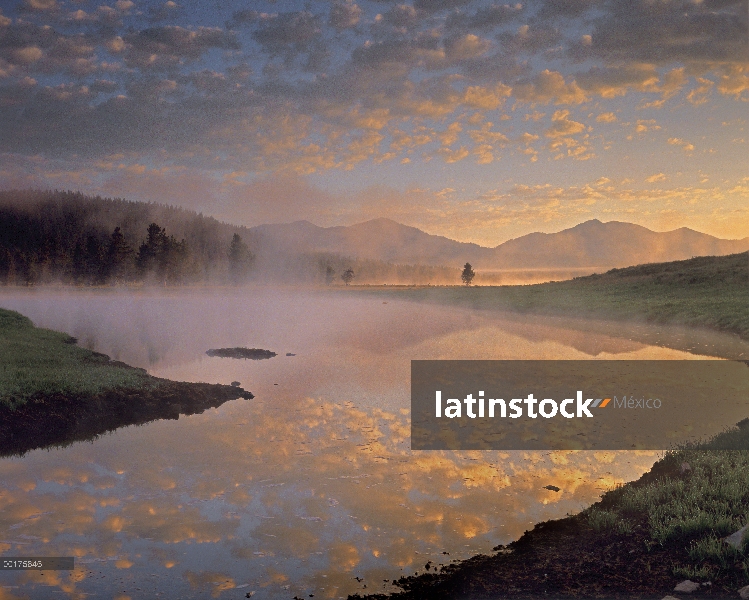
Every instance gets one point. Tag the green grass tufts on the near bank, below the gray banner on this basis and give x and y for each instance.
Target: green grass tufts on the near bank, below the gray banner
(690, 501)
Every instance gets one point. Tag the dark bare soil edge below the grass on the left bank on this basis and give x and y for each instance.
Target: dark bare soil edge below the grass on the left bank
(60, 419)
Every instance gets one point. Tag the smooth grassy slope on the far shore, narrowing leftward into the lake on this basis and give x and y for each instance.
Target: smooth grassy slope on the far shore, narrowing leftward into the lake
(709, 291)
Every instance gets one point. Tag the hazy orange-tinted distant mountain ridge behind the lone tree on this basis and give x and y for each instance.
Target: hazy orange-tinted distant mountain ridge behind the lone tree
(589, 244)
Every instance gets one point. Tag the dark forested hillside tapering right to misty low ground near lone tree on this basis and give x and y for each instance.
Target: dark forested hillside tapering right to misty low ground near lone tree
(67, 237)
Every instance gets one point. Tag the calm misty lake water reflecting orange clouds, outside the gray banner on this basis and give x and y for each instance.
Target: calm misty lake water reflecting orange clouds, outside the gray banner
(310, 485)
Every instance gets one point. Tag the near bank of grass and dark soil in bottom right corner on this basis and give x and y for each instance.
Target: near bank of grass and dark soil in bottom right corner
(640, 540)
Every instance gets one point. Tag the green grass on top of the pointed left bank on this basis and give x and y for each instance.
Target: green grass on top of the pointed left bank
(36, 361)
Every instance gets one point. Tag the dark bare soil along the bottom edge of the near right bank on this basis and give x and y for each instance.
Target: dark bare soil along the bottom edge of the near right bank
(559, 559)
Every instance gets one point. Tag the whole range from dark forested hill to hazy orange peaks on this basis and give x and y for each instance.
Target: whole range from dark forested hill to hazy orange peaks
(47, 236)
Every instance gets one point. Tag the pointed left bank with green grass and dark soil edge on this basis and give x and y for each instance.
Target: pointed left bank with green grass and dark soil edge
(53, 392)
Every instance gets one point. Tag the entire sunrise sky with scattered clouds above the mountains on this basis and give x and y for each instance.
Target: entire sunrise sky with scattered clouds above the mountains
(477, 120)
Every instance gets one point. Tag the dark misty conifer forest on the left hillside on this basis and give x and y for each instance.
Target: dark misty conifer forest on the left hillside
(48, 237)
